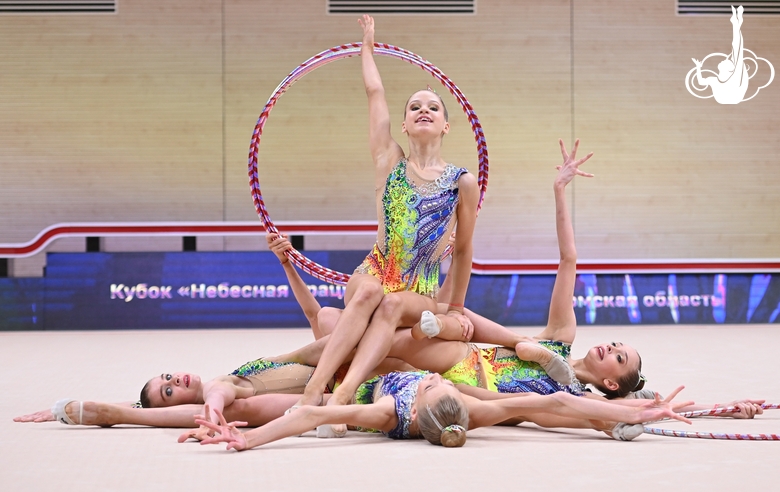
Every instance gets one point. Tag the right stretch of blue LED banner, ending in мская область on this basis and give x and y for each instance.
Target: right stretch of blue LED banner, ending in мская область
(609, 299)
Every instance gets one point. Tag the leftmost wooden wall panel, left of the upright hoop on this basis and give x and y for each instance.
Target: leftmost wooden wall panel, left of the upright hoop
(111, 117)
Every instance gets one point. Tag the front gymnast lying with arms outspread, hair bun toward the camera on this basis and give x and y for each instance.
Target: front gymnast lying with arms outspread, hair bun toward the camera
(407, 405)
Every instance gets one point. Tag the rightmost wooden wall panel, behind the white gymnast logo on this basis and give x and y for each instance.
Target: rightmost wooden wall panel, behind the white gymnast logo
(678, 177)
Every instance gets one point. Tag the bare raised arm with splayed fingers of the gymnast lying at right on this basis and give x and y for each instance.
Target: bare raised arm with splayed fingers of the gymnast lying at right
(561, 324)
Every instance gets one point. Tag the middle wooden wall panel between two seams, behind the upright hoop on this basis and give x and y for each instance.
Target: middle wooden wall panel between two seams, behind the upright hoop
(512, 61)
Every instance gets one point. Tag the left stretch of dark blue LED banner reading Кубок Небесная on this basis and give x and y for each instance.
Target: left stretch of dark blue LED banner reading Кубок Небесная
(88, 291)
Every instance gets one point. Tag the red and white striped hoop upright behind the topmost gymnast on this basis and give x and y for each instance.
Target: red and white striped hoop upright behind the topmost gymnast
(323, 58)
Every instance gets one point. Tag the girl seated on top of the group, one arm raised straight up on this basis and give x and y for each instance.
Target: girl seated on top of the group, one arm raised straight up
(419, 200)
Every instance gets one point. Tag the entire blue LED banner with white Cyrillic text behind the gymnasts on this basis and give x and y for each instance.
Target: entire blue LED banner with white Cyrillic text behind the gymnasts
(87, 291)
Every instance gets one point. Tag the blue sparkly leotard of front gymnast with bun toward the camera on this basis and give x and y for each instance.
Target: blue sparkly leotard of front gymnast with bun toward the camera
(402, 386)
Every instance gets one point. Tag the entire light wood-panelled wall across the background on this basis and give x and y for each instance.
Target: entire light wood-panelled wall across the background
(146, 115)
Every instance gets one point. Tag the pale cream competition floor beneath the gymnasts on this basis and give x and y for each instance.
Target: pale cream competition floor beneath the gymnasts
(716, 363)
